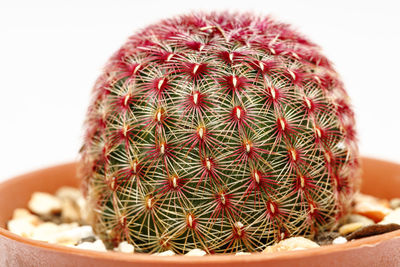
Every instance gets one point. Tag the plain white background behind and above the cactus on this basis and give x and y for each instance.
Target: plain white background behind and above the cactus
(52, 51)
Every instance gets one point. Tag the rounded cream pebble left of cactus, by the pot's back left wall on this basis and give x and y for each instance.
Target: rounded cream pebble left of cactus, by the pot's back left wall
(44, 204)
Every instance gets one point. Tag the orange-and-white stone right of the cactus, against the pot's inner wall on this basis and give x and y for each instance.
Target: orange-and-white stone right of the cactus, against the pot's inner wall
(371, 207)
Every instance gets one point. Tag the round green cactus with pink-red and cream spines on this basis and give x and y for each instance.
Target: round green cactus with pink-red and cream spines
(220, 131)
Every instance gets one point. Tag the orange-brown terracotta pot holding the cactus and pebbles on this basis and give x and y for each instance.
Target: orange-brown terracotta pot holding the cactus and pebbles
(381, 179)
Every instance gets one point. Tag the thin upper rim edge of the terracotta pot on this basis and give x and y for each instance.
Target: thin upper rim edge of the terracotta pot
(179, 259)
